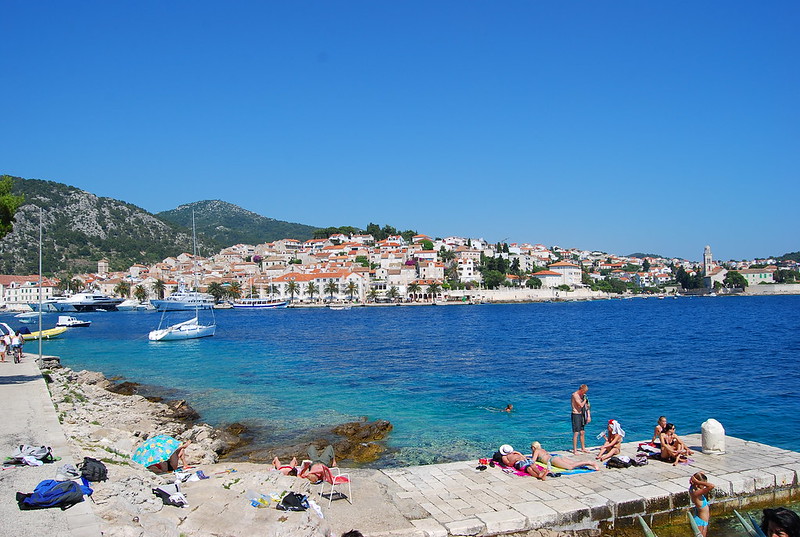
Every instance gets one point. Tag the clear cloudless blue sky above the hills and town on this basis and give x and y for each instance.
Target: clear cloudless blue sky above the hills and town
(621, 126)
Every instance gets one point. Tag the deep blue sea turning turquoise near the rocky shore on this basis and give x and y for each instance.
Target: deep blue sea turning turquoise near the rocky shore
(439, 374)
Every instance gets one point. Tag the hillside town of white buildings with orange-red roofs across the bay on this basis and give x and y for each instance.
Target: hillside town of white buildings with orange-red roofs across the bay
(359, 268)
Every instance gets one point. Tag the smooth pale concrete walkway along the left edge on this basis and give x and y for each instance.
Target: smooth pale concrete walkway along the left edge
(29, 418)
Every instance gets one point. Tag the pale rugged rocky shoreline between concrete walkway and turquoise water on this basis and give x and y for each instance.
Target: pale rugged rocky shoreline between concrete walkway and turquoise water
(106, 425)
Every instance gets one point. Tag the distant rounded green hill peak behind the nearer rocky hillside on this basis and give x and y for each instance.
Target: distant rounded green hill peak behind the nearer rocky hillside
(229, 224)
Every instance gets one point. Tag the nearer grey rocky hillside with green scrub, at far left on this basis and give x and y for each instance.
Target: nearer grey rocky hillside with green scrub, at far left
(80, 228)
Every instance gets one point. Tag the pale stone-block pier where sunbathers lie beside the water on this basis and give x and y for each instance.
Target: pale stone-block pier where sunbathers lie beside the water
(461, 500)
